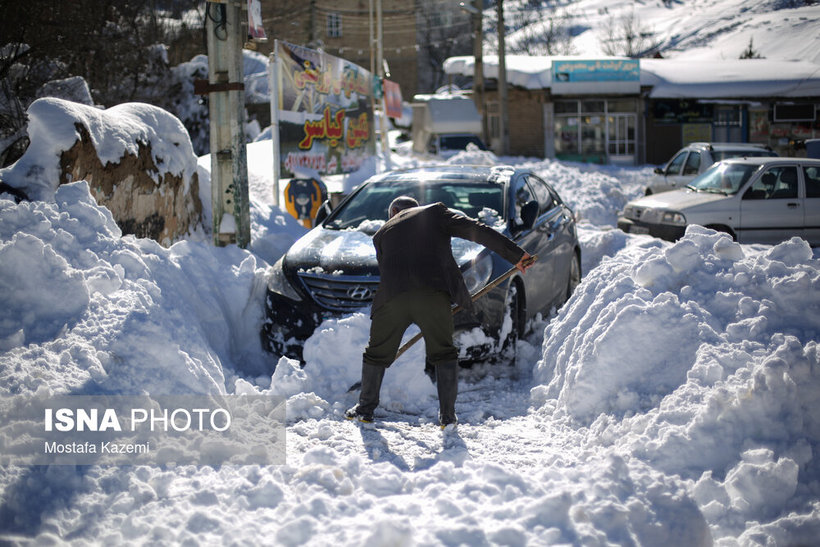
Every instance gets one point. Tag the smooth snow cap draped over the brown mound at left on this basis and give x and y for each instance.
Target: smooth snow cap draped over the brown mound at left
(114, 132)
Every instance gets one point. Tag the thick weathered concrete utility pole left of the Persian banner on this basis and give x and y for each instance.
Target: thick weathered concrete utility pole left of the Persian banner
(226, 91)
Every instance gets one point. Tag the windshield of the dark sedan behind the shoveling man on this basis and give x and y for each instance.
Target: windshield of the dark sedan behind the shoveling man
(371, 201)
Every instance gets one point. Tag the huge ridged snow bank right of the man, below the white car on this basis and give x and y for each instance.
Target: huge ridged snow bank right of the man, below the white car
(701, 359)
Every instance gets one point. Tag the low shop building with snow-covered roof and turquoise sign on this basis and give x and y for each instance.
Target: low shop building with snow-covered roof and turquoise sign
(638, 111)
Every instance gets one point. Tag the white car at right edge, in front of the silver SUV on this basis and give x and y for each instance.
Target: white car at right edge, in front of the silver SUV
(755, 200)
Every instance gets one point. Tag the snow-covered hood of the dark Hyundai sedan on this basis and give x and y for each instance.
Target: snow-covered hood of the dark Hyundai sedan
(352, 251)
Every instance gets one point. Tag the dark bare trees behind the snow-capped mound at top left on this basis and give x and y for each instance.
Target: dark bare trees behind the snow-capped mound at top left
(115, 45)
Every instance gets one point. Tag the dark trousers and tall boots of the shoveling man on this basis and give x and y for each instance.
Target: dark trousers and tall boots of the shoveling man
(430, 309)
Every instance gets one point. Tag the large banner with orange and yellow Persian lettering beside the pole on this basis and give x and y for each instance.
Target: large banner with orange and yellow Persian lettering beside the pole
(325, 112)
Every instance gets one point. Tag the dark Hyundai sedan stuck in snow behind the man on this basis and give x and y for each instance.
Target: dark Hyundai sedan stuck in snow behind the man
(332, 270)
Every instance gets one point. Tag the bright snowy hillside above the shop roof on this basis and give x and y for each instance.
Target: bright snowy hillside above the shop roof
(694, 29)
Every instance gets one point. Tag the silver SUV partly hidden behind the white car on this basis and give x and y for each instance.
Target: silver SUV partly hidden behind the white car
(696, 158)
